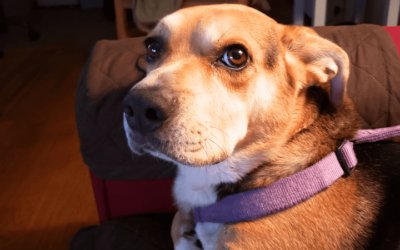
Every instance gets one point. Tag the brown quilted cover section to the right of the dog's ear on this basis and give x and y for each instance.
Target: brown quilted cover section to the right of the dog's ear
(374, 82)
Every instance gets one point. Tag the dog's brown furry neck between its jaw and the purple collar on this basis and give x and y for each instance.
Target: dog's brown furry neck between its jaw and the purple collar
(322, 129)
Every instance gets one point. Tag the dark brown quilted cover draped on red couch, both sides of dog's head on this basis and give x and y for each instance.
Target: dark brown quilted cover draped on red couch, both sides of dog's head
(115, 66)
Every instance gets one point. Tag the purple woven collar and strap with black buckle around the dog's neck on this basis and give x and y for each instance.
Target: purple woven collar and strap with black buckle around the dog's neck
(291, 190)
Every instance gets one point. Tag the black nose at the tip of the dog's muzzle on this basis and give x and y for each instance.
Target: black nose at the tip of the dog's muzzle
(142, 115)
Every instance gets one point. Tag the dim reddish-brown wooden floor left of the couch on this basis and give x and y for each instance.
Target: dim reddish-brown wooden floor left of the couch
(45, 188)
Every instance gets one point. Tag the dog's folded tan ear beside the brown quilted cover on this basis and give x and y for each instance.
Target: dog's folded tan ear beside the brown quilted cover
(314, 60)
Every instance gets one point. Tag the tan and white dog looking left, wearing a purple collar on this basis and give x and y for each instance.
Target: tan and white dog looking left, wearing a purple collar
(237, 102)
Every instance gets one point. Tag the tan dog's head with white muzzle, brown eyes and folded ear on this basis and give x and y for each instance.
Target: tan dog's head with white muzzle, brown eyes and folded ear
(226, 82)
